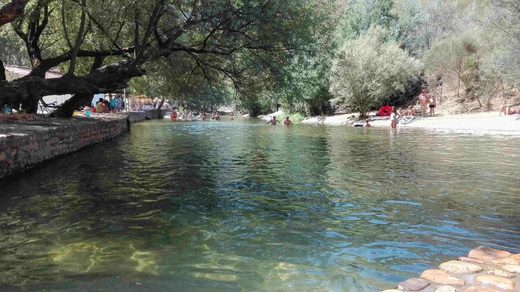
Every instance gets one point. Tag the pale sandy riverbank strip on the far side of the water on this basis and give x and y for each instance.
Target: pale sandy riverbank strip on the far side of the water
(480, 123)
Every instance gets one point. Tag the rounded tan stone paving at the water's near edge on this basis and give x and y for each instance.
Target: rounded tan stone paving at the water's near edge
(484, 269)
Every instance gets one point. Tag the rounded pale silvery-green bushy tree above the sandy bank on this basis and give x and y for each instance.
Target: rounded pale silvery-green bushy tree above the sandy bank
(370, 69)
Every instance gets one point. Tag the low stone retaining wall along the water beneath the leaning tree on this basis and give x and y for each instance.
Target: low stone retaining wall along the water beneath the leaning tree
(25, 143)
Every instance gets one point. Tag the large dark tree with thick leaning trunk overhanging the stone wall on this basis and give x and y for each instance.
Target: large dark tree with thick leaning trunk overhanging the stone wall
(102, 44)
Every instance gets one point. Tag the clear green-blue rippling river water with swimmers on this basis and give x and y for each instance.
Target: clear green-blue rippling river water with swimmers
(238, 206)
